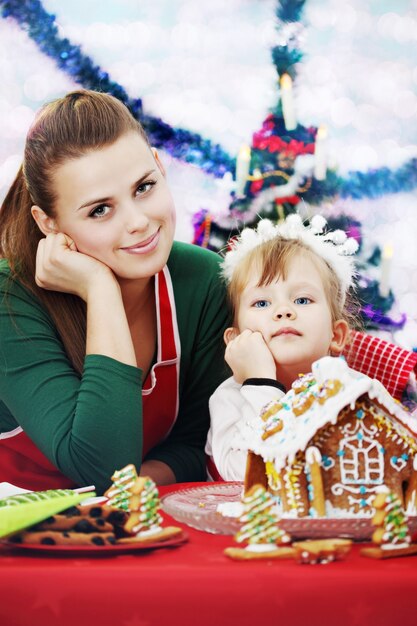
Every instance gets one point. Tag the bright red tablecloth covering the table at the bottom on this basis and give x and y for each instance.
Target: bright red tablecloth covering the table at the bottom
(195, 584)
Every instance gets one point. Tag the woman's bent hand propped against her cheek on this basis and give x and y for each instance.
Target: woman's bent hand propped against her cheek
(60, 267)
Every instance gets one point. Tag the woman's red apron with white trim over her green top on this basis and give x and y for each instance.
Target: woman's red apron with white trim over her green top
(24, 465)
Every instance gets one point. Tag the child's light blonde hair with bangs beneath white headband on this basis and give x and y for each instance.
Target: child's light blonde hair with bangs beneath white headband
(272, 258)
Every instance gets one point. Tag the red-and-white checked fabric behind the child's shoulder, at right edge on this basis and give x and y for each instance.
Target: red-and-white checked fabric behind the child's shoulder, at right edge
(380, 359)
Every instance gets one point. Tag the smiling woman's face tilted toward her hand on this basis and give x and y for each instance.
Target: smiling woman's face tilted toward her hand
(115, 204)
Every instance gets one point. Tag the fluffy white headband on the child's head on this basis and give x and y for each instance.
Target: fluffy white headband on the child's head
(333, 246)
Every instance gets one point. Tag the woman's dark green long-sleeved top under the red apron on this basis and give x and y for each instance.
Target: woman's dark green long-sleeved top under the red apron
(89, 426)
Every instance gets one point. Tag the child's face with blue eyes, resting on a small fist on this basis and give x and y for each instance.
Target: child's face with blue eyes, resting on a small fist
(293, 316)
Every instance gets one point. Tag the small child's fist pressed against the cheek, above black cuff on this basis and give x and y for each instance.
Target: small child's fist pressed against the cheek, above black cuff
(248, 356)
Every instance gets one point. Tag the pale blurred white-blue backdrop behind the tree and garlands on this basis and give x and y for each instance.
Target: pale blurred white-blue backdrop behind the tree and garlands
(206, 67)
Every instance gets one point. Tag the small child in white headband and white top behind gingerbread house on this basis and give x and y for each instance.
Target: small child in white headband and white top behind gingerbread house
(288, 287)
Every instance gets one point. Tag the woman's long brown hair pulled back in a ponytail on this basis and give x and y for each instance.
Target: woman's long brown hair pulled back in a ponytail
(67, 128)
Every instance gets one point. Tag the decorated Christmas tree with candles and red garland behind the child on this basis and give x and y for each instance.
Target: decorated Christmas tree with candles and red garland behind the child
(285, 171)
